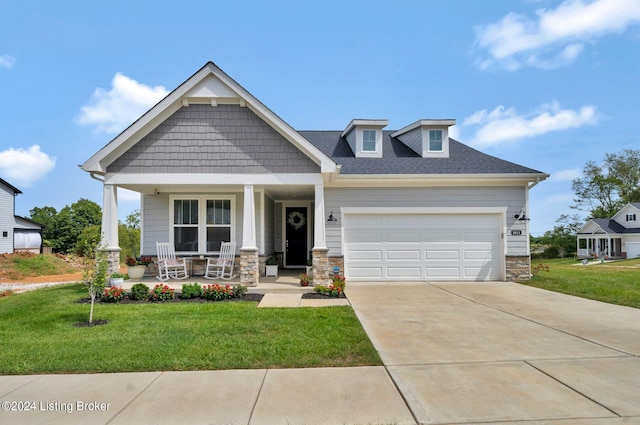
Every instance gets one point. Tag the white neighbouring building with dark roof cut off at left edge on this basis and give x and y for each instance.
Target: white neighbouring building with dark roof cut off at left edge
(16, 233)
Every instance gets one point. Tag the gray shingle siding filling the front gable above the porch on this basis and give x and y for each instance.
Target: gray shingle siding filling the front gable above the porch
(206, 139)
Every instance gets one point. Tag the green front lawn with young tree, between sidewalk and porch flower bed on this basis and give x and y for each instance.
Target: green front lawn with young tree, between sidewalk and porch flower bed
(38, 336)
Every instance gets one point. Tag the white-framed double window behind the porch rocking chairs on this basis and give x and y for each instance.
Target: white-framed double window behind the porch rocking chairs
(201, 225)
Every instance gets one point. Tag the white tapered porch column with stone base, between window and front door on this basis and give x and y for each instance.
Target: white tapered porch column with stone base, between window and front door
(249, 262)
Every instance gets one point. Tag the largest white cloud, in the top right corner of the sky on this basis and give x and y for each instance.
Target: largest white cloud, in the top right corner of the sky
(556, 37)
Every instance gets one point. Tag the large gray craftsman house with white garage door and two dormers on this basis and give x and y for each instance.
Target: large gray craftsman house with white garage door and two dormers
(212, 164)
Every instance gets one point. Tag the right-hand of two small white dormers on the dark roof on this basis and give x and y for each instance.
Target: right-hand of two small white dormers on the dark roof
(428, 138)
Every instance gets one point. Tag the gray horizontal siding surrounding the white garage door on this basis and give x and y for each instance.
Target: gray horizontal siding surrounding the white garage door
(438, 197)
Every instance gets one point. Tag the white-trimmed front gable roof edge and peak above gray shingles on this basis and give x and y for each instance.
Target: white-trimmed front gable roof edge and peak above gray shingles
(208, 85)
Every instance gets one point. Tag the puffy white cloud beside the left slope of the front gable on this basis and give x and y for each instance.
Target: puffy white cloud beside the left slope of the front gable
(112, 111)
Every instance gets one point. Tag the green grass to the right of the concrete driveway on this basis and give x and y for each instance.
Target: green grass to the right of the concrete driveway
(616, 282)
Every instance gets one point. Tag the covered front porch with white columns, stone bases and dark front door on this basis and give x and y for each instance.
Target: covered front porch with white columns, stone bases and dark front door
(267, 216)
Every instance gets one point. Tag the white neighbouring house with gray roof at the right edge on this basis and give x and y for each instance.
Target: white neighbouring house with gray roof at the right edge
(618, 236)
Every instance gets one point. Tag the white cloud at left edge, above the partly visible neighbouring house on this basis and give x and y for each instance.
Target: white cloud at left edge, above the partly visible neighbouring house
(23, 167)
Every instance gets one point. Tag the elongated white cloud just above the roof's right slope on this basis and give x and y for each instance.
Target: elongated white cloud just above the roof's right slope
(504, 125)
